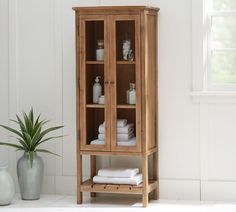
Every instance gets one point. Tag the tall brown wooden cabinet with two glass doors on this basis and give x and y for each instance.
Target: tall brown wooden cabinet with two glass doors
(113, 26)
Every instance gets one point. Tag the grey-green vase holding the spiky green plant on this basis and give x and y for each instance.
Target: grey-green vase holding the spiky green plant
(30, 178)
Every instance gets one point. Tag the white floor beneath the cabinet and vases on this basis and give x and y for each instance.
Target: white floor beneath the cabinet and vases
(51, 203)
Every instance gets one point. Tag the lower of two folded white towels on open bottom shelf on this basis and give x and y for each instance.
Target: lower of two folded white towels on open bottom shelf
(135, 180)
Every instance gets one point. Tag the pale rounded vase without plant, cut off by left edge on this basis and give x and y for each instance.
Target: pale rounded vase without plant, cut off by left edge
(7, 187)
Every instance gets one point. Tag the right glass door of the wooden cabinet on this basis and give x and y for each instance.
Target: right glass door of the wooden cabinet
(125, 84)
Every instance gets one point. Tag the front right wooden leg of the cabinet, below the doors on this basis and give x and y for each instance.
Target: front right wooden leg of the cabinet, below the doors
(145, 180)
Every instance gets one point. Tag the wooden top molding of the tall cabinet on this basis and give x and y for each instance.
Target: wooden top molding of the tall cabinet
(115, 8)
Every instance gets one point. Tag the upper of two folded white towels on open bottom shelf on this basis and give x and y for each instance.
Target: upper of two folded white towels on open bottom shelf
(118, 172)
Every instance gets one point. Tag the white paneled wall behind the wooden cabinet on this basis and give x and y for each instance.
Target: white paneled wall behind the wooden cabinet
(37, 68)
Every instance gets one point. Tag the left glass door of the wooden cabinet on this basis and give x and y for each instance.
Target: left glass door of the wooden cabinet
(94, 90)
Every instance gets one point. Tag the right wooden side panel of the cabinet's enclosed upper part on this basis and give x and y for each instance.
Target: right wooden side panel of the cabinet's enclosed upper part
(151, 78)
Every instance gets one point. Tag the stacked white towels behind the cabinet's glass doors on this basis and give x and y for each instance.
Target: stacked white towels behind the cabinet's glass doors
(125, 134)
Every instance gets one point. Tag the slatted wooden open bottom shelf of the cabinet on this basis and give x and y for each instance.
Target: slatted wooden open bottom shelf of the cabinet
(89, 186)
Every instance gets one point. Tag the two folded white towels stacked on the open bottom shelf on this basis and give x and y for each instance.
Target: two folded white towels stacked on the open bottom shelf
(126, 176)
